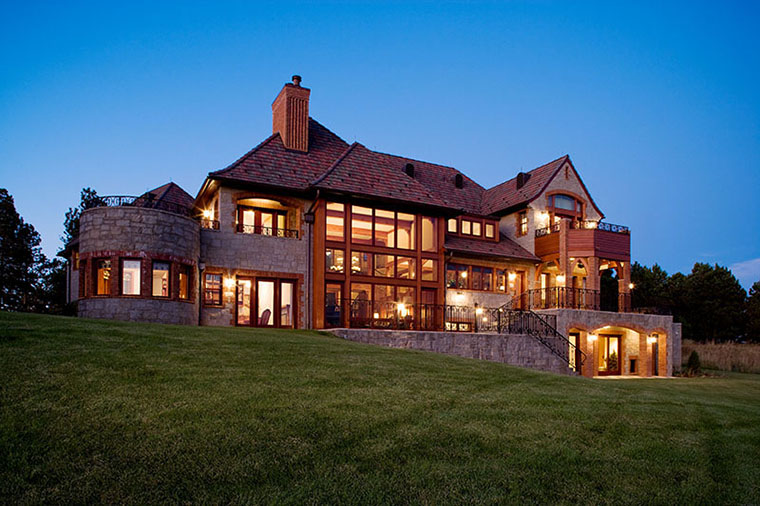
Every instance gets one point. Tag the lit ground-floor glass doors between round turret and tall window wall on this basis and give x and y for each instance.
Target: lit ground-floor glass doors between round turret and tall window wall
(266, 302)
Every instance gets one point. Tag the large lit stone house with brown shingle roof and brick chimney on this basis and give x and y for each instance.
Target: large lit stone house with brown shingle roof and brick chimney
(308, 231)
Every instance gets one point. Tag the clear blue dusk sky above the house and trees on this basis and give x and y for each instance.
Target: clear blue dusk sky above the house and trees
(657, 103)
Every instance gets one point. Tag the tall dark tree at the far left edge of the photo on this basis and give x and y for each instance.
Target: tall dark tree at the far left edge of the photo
(20, 254)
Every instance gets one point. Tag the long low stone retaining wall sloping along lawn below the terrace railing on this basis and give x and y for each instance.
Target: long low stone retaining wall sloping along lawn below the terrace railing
(518, 350)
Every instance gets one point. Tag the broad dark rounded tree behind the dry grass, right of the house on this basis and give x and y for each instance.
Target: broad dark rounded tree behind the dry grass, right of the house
(713, 304)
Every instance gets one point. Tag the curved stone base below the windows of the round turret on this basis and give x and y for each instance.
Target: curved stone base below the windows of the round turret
(140, 310)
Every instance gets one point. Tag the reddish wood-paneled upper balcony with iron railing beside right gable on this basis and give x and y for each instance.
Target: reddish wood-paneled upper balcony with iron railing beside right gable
(586, 239)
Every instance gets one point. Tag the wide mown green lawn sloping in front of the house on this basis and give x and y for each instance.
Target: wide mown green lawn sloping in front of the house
(98, 411)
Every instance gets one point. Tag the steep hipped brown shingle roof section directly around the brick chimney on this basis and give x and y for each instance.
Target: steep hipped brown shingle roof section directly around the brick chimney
(270, 163)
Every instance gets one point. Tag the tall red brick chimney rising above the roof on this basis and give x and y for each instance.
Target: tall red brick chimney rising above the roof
(290, 115)
